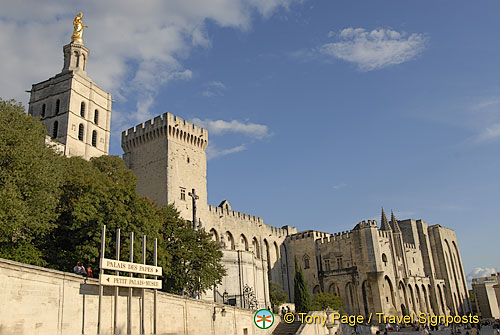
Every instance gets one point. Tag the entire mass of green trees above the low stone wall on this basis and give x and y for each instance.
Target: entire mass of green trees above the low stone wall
(53, 208)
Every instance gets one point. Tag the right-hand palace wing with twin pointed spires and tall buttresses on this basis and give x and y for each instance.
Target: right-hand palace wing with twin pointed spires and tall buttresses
(402, 268)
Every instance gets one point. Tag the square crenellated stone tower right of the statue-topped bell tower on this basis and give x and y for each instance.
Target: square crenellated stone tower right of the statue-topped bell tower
(168, 156)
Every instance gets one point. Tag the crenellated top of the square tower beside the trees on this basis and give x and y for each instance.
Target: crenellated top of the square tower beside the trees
(169, 125)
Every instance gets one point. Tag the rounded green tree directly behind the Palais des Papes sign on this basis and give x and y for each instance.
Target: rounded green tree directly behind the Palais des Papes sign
(96, 193)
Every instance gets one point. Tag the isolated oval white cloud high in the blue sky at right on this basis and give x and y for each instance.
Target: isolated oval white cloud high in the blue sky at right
(376, 49)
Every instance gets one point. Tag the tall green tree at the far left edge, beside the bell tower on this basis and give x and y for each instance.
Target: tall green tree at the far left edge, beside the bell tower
(30, 177)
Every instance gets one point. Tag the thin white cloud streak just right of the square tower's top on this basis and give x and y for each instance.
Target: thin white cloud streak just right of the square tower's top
(219, 127)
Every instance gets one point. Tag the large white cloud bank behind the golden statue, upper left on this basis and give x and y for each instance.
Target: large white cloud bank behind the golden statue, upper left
(135, 47)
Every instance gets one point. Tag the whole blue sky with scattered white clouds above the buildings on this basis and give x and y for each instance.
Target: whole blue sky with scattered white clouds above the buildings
(319, 112)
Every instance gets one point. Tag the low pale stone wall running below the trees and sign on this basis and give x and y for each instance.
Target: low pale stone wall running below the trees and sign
(42, 301)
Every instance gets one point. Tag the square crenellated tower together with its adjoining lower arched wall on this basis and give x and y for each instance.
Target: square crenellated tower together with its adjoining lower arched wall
(168, 156)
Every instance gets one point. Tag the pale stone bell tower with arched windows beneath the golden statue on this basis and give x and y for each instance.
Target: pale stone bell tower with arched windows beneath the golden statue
(75, 111)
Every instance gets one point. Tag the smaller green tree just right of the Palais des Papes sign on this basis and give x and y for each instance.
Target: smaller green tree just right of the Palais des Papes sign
(194, 259)
